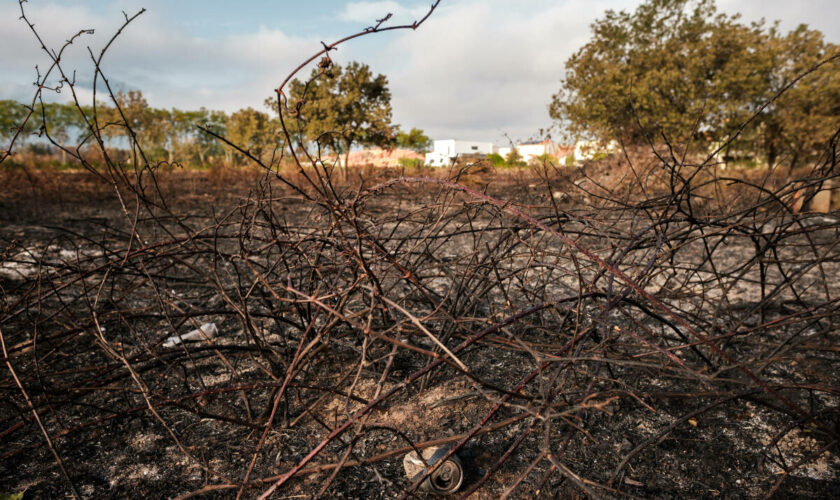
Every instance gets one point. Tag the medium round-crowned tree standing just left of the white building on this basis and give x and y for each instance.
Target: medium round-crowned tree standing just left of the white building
(343, 107)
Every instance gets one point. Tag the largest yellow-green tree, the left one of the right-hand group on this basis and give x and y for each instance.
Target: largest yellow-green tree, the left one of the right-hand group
(669, 68)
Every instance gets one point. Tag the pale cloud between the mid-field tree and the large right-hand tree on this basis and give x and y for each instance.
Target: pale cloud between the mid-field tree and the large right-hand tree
(479, 69)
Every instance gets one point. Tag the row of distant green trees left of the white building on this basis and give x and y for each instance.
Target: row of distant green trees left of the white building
(350, 108)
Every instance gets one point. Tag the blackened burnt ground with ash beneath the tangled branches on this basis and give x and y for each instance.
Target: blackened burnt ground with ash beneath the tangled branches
(620, 416)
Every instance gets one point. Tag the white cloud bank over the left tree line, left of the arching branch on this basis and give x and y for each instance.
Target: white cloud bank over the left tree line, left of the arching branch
(172, 69)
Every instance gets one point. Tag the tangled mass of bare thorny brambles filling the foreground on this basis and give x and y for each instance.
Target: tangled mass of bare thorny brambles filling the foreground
(570, 320)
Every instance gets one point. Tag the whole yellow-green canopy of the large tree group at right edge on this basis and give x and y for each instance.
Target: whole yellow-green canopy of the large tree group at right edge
(679, 70)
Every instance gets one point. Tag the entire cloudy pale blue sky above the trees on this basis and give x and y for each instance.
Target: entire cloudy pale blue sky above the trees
(477, 70)
